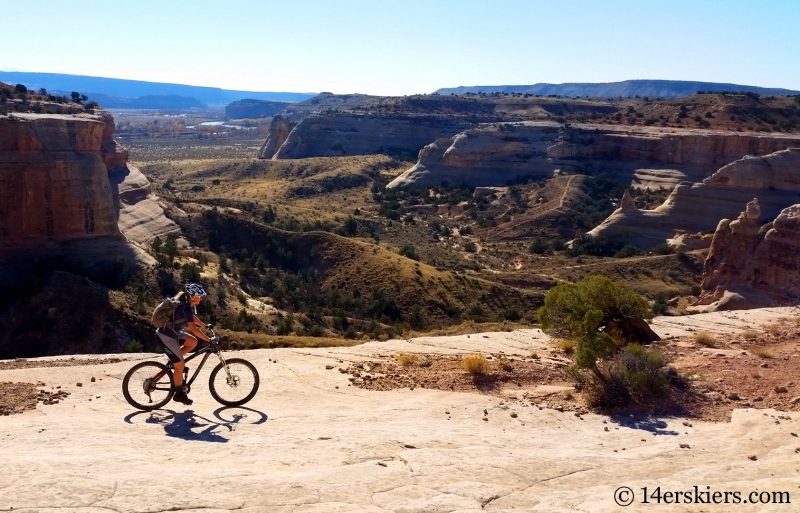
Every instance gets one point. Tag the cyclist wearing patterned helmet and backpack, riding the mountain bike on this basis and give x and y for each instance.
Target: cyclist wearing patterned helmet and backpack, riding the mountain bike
(176, 341)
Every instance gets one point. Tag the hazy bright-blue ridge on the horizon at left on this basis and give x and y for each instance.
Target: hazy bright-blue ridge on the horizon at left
(121, 93)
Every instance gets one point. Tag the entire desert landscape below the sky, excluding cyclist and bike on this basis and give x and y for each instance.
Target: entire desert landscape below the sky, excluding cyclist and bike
(473, 299)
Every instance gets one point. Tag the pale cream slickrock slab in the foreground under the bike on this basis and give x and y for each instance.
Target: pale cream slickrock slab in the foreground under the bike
(302, 445)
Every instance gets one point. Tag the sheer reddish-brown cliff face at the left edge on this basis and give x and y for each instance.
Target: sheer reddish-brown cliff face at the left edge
(53, 180)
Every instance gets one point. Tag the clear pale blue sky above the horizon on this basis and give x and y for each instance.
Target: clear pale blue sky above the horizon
(405, 47)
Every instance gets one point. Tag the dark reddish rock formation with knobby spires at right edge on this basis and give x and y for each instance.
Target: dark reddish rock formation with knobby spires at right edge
(751, 265)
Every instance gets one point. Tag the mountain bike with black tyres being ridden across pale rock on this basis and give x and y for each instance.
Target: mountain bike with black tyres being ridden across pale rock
(233, 382)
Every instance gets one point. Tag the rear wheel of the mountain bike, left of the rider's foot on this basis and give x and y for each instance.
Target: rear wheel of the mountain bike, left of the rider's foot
(148, 386)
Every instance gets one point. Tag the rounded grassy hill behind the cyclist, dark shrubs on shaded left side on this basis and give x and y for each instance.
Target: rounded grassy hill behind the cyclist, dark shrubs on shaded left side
(331, 273)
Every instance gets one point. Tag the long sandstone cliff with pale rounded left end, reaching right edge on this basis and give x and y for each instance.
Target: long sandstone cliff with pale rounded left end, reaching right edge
(494, 153)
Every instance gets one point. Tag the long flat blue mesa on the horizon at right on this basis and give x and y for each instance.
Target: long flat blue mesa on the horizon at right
(626, 89)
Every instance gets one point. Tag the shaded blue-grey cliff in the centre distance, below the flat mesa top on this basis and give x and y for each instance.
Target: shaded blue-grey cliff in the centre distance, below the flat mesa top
(351, 134)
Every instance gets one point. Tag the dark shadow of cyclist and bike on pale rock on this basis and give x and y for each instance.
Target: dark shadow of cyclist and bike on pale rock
(188, 425)
